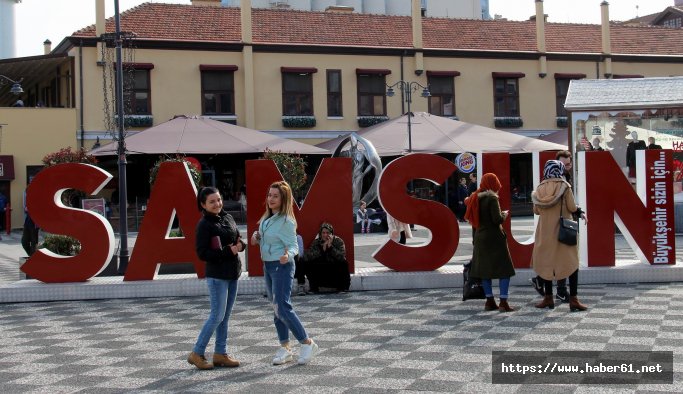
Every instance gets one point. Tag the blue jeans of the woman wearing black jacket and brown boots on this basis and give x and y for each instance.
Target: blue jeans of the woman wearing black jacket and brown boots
(222, 295)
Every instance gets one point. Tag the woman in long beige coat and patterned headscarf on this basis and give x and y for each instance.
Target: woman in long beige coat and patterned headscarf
(551, 259)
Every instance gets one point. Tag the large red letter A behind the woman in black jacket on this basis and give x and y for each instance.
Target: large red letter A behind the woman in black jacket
(173, 194)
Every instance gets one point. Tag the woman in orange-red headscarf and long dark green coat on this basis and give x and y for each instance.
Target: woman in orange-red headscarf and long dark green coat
(491, 257)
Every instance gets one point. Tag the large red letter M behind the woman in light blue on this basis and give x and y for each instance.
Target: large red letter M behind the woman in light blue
(329, 199)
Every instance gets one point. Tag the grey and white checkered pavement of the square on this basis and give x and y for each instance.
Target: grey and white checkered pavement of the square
(407, 340)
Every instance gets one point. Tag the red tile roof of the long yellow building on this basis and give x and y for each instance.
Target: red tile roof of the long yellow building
(288, 27)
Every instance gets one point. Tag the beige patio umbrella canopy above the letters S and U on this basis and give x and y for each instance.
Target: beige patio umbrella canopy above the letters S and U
(436, 134)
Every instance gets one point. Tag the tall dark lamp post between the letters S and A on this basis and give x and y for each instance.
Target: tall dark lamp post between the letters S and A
(121, 147)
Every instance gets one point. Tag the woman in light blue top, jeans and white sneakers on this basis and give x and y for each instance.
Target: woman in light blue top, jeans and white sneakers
(277, 239)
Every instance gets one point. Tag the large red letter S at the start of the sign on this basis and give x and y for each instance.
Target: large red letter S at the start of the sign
(44, 201)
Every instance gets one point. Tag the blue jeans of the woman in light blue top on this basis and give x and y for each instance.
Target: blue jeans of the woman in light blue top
(279, 289)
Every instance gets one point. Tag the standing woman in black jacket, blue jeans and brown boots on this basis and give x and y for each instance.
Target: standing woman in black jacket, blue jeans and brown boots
(217, 243)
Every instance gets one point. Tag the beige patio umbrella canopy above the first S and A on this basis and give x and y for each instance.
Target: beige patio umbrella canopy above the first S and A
(199, 135)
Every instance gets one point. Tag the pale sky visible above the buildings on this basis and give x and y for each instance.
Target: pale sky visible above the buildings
(38, 20)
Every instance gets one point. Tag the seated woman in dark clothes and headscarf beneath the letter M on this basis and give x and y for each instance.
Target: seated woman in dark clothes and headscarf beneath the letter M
(325, 261)
